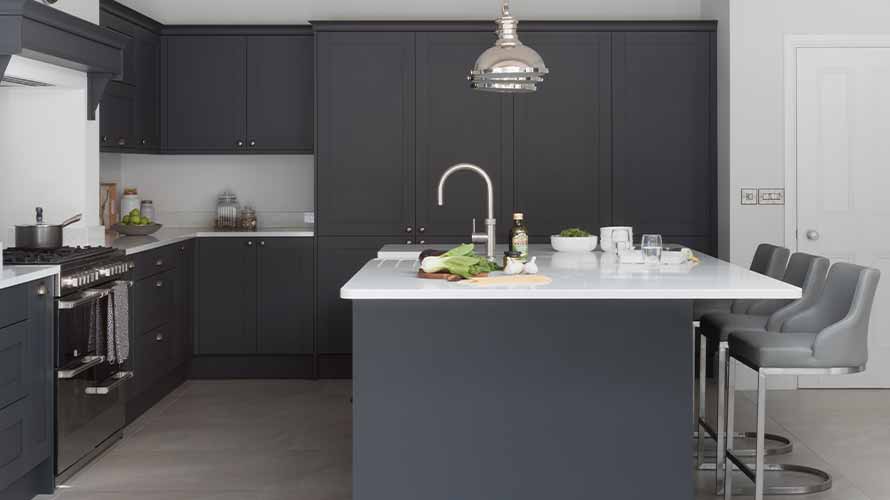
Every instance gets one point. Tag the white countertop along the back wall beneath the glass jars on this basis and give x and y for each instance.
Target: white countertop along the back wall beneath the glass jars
(168, 236)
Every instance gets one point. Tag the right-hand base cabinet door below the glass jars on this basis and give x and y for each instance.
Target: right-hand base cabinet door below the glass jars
(285, 296)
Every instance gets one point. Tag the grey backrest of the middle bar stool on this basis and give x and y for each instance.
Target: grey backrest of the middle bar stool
(805, 271)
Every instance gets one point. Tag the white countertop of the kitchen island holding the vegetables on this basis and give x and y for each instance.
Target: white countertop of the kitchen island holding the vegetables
(595, 275)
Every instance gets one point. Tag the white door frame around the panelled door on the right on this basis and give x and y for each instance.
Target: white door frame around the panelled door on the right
(792, 44)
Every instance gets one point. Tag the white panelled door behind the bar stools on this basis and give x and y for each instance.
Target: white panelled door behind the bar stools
(843, 178)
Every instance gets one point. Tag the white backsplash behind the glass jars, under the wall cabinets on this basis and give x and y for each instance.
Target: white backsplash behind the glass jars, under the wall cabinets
(184, 188)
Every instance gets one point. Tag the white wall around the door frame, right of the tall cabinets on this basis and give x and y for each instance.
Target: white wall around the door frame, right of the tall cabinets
(757, 100)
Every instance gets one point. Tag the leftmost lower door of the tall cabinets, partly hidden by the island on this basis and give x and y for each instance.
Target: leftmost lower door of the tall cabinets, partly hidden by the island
(338, 259)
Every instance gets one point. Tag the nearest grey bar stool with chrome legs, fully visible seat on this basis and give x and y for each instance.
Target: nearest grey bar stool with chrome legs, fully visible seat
(828, 338)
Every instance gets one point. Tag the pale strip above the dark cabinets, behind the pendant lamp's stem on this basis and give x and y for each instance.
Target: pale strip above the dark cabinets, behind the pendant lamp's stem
(302, 11)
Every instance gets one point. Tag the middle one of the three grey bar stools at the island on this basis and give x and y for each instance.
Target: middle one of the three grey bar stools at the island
(805, 271)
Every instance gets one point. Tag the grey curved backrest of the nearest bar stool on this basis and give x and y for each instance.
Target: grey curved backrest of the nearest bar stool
(840, 316)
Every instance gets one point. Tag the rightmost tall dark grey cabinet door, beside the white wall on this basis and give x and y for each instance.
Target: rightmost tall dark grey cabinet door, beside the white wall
(664, 146)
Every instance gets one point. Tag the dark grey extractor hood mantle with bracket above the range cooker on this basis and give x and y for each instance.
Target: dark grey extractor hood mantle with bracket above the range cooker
(36, 31)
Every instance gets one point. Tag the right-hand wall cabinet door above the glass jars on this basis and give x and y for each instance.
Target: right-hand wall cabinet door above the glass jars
(280, 93)
